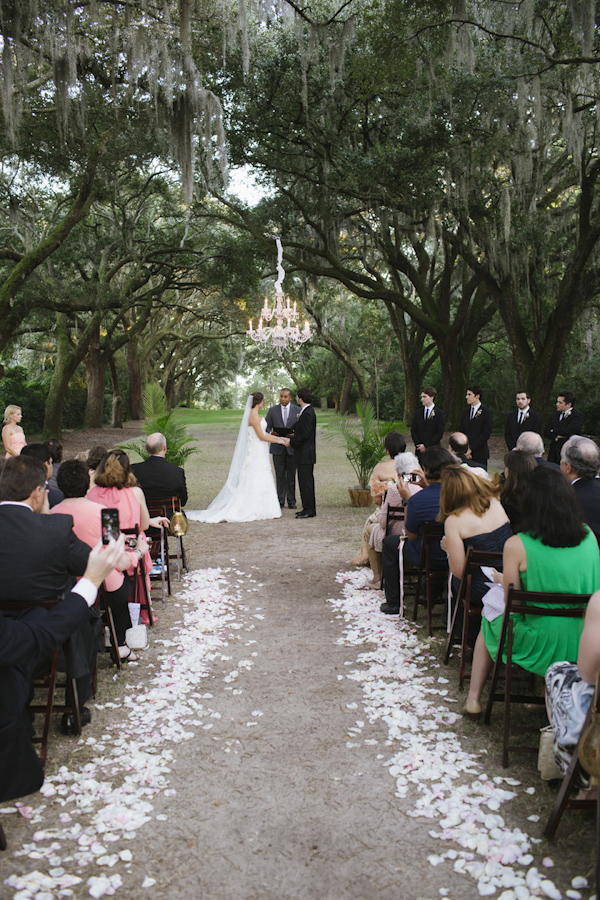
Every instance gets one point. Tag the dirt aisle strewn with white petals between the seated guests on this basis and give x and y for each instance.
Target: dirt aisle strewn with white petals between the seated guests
(247, 756)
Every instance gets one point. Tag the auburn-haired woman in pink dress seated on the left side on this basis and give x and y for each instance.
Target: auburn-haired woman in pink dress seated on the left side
(116, 487)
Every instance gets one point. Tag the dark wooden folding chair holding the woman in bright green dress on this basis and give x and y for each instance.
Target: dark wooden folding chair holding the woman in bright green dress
(527, 603)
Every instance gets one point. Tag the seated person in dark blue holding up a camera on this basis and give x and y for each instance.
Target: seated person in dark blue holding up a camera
(420, 508)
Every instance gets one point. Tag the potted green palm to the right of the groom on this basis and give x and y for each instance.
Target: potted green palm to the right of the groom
(365, 448)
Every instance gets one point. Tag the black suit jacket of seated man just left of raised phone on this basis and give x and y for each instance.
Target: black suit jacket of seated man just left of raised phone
(39, 555)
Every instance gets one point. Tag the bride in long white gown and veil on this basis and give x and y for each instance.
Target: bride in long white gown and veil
(249, 492)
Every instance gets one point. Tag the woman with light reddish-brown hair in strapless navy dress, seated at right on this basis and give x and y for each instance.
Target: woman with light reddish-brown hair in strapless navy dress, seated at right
(473, 517)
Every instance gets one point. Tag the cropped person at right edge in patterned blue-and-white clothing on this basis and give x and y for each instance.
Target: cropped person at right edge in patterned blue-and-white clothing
(570, 689)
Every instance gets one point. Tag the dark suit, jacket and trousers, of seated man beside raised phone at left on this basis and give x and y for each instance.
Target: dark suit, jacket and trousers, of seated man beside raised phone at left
(40, 556)
